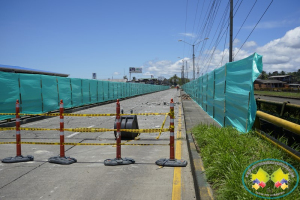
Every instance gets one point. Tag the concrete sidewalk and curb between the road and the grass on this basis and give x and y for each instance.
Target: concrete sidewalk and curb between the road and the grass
(194, 115)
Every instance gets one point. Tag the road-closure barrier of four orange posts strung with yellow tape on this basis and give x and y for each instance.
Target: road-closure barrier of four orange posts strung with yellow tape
(62, 159)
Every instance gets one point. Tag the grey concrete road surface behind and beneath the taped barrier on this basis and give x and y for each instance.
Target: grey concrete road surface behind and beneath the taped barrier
(89, 178)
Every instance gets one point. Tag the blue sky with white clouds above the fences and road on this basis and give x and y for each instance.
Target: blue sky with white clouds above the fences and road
(107, 37)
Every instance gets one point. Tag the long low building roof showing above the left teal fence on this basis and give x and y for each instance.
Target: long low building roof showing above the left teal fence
(17, 69)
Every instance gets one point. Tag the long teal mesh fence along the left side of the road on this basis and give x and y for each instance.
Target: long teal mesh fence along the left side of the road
(42, 93)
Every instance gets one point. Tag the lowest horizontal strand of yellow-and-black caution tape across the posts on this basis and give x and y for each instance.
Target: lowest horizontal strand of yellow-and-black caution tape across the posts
(82, 144)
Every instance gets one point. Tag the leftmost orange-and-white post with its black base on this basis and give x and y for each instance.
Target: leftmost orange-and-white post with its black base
(18, 157)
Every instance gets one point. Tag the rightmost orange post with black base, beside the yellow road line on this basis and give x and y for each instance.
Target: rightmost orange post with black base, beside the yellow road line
(172, 162)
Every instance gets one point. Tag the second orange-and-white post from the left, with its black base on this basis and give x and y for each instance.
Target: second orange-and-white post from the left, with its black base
(62, 159)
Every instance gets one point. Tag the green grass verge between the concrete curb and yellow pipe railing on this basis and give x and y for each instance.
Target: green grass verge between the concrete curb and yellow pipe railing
(226, 154)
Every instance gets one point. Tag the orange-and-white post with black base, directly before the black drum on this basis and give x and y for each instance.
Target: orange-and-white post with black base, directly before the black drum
(118, 160)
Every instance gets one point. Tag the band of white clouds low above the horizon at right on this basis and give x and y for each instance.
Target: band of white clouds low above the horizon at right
(281, 54)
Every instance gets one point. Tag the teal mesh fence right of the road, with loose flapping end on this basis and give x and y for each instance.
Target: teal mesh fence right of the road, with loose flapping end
(226, 93)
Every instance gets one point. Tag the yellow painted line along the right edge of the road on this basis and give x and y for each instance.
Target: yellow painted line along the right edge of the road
(176, 192)
